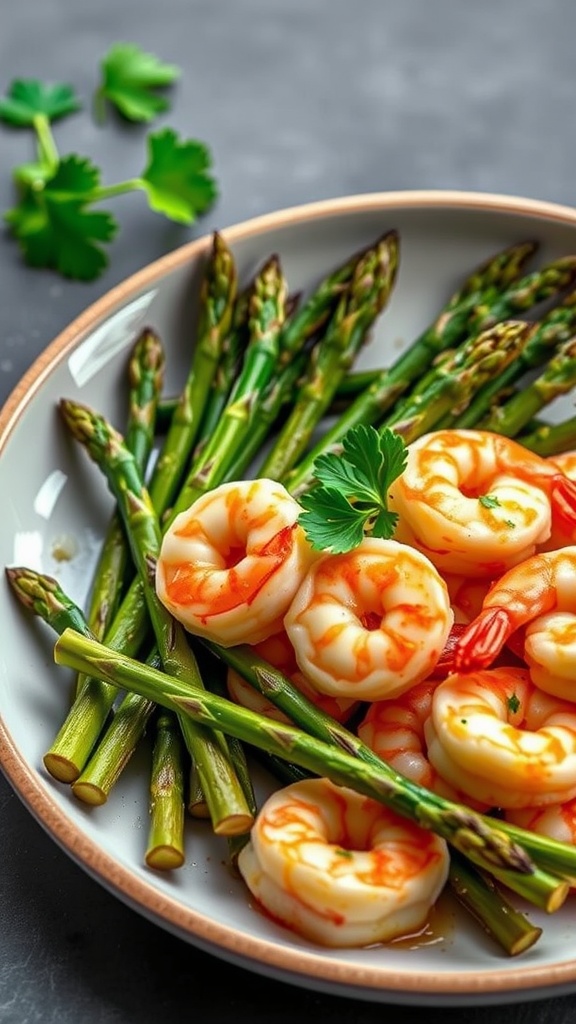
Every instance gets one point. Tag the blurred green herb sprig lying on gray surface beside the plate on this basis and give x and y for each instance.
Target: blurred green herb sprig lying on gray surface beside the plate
(54, 221)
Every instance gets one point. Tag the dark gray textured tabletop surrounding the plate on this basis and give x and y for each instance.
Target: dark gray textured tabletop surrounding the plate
(301, 100)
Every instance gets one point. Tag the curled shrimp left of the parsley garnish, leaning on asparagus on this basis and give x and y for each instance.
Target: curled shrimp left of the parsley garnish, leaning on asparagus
(230, 566)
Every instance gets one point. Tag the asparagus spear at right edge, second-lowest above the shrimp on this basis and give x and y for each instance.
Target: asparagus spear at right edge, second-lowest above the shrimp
(558, 378)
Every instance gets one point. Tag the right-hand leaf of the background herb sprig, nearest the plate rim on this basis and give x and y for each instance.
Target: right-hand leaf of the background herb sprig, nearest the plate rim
(178, 179)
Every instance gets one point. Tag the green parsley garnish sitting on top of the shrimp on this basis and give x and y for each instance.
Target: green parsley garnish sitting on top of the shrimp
(350, 500)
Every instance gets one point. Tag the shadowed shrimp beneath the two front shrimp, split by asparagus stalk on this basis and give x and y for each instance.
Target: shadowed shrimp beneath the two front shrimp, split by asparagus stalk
(278, 651)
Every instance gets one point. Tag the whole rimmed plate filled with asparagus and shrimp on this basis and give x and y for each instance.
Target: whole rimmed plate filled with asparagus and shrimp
(385, 378)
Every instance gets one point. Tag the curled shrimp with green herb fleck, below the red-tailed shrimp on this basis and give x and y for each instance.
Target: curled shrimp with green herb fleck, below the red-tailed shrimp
(497, 737)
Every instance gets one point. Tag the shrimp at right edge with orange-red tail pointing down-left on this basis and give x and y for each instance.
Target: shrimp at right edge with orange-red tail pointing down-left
(540, 586)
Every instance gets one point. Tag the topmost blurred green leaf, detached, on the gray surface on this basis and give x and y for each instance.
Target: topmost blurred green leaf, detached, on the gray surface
(131, 78)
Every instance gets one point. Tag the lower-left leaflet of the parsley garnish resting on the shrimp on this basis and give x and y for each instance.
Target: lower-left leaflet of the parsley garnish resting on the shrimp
(331, 522)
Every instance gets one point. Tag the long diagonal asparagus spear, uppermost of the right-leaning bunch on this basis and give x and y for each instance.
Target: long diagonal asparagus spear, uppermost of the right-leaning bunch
(449, 329)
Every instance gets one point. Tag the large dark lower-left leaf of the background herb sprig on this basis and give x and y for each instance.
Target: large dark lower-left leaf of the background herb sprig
(54, 227)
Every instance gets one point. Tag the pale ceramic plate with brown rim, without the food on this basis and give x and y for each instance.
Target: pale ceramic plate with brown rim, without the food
(53, 495)
